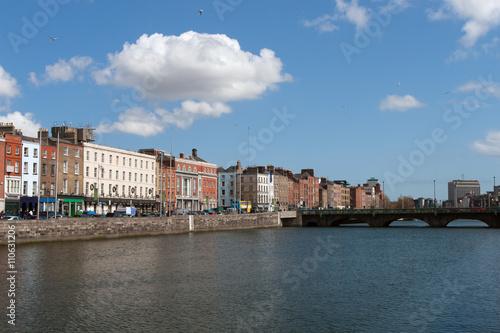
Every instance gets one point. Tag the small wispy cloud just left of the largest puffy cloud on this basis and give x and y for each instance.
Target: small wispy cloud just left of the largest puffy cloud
(63, 70)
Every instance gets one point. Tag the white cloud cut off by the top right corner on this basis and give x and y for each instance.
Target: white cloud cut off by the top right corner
(480, 17)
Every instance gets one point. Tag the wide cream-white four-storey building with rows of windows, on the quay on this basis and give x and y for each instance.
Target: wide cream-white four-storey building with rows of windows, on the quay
(118, 178)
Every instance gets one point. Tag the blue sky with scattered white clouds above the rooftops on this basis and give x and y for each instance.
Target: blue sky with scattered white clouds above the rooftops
(405, 91)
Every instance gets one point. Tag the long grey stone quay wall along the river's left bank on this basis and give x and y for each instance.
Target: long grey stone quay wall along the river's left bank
(64, 229)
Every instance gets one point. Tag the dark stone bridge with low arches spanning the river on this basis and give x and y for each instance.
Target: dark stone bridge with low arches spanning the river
(439, 217)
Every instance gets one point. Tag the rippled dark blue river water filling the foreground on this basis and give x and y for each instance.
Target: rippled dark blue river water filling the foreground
(346, 279)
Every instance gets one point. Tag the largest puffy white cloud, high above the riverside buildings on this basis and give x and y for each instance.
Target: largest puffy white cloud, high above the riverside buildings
(207, 67)
